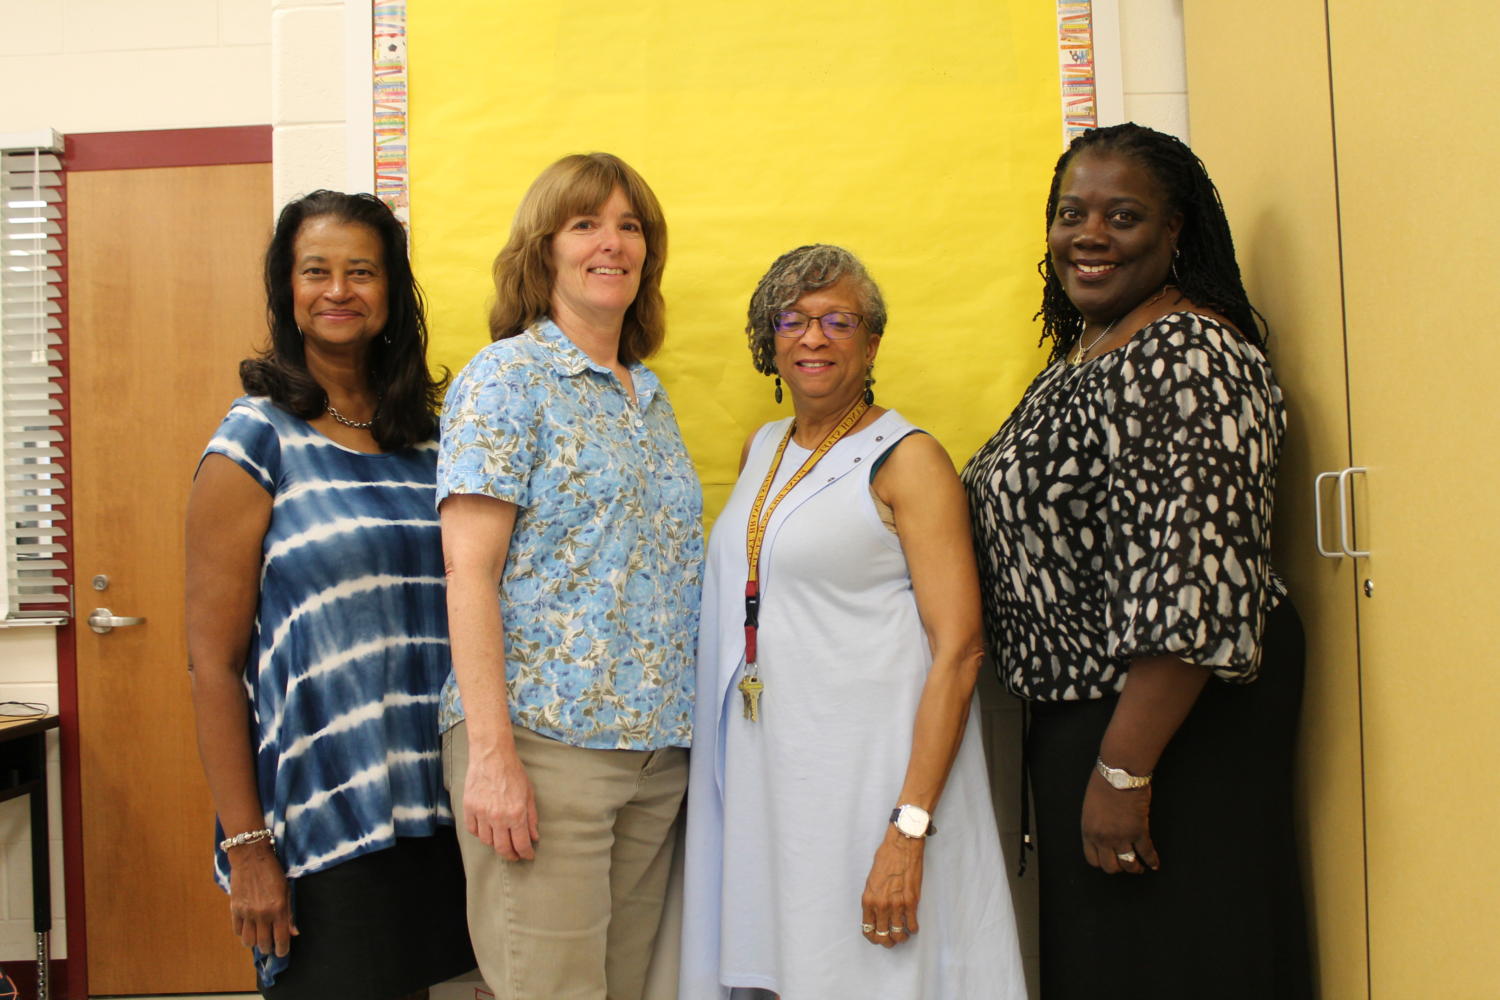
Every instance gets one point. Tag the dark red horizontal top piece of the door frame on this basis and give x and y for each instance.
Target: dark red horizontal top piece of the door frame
(169, 148)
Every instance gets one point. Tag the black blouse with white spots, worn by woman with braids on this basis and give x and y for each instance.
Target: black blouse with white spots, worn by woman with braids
(1124, 510)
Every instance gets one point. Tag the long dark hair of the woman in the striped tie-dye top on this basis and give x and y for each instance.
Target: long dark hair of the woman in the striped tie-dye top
(397, 362)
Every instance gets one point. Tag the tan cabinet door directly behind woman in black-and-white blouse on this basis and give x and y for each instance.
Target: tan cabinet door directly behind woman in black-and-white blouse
(1267, 137)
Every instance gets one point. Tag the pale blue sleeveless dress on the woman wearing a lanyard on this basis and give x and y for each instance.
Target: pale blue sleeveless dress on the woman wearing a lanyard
(785, 815)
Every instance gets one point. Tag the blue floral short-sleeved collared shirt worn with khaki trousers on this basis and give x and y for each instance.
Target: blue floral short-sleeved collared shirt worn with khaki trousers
(602, 582)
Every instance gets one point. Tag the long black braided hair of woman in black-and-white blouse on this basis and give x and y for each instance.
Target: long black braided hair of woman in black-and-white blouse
(1205, 272)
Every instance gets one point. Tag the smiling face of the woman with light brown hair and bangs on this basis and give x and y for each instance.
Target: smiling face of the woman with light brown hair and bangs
(596, 265)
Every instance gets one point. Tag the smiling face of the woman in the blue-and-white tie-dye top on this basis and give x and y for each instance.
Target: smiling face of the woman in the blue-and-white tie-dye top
(338, 283)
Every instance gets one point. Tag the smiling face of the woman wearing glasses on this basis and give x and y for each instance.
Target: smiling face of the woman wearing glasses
(818, 370)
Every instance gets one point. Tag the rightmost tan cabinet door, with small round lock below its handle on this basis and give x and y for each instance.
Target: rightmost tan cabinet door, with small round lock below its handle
(1418, 151)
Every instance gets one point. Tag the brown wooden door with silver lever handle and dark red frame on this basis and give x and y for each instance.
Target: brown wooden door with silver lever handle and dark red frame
(164, 301)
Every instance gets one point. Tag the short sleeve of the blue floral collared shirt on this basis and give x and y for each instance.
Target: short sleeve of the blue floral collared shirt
(490, 430)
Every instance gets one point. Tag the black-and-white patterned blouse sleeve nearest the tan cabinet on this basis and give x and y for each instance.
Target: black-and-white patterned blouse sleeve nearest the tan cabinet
(1193, 442)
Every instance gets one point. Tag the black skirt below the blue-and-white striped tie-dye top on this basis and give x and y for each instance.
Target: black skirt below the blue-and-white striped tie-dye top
(380, 926)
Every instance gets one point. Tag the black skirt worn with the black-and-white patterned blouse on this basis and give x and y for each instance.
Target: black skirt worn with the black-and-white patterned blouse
(1225, 917)
